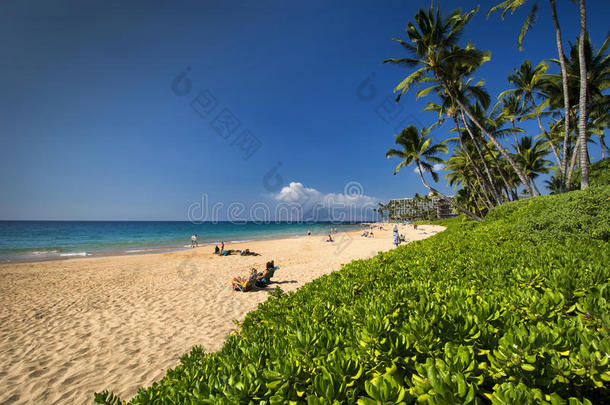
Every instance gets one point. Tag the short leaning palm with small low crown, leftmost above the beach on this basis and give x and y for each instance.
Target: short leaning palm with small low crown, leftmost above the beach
(416, 147)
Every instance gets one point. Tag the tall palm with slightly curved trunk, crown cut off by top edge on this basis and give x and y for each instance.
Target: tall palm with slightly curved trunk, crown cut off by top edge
(512, 6)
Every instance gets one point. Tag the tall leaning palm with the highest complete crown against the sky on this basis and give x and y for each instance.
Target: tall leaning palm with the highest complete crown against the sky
(433, 43)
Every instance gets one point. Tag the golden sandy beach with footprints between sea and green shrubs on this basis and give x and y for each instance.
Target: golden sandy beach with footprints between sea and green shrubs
(69, 328)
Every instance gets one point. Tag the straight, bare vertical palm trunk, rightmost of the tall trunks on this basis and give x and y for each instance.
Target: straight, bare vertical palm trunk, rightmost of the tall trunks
(582, 124)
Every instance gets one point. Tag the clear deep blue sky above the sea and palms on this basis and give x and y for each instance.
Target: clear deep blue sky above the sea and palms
(91, 128)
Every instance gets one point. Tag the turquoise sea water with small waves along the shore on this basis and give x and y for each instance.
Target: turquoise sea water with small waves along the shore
(46, 240)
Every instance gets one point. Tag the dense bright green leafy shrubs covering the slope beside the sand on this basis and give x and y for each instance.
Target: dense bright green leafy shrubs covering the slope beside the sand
(511, 310)
